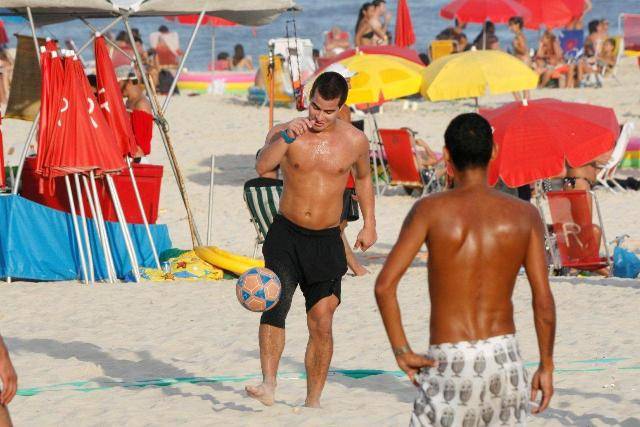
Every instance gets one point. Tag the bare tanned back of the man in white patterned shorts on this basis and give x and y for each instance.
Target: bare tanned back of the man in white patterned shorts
(475, 253)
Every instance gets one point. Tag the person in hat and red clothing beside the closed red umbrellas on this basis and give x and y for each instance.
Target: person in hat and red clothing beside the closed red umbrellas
(139, 108)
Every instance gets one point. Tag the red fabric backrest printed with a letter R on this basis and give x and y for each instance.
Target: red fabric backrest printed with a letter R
(577, 238)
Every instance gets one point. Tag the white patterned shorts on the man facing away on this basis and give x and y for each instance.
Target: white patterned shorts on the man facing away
(476, 383)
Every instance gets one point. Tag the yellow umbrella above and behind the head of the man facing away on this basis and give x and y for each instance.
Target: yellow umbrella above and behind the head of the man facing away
(471, 74)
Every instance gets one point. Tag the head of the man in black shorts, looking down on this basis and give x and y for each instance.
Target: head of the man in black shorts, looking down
(328, 94)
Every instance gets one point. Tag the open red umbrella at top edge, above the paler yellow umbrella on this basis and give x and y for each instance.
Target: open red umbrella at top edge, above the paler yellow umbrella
(479, 11)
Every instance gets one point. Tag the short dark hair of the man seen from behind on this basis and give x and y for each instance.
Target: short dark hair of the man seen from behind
(469, 140)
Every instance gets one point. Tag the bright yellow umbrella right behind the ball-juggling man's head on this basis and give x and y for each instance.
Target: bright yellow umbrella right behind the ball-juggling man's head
(381, 78)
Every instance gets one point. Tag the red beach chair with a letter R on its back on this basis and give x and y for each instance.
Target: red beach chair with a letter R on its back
(575, 241)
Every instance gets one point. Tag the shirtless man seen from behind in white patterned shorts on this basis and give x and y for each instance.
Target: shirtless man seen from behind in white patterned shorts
(478, 238)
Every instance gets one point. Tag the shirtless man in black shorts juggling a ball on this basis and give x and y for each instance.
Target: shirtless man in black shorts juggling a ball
(303, 246)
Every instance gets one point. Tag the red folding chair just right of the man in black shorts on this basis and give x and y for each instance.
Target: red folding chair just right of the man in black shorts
(402, 163)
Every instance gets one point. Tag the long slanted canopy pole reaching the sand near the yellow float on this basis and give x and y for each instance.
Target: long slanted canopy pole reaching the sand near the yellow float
(164, 133)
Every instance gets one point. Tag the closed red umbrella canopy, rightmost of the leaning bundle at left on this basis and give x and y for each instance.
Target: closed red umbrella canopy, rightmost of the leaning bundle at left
(110, 98)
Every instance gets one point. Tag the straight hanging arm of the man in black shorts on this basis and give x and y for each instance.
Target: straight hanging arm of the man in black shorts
(364, 189)
